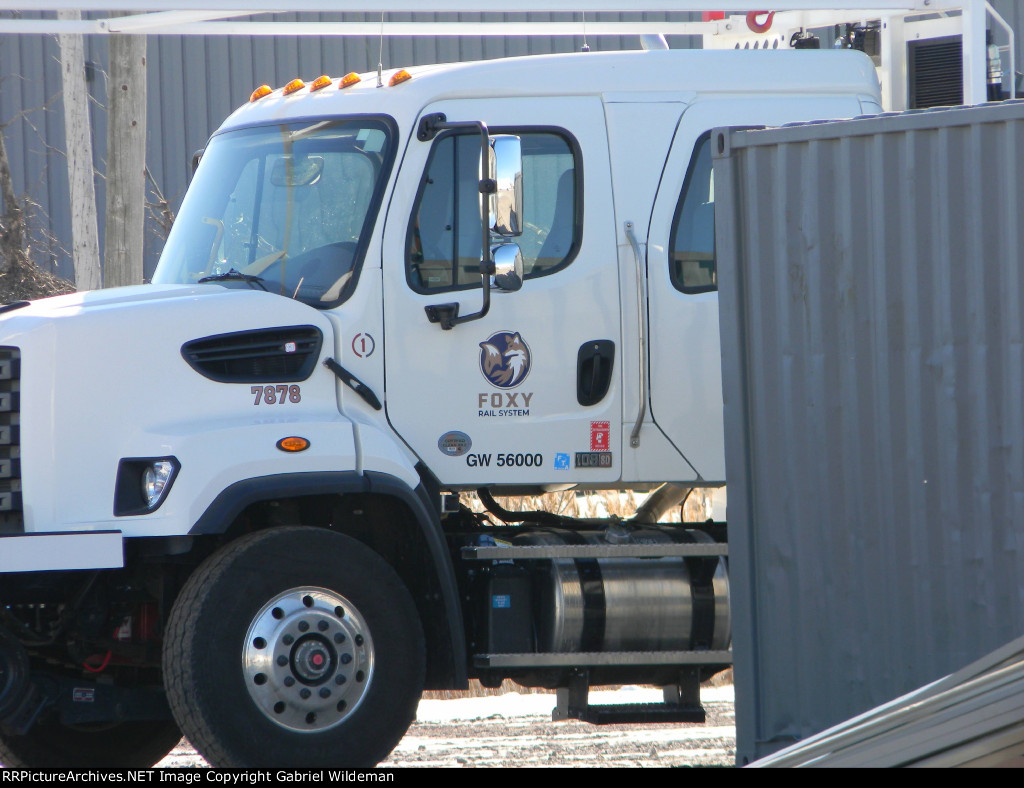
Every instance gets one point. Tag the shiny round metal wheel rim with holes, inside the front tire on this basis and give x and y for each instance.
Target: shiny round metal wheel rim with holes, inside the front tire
(308, 660)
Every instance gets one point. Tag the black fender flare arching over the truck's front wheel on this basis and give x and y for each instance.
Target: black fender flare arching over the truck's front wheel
(234, 500)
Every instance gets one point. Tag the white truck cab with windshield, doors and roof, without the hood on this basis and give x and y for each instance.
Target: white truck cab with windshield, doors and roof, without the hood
(337, 204)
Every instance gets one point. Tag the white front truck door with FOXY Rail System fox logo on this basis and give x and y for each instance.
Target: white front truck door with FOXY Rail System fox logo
(528, 395)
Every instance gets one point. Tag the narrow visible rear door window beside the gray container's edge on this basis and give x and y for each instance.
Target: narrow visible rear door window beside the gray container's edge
(692, 255)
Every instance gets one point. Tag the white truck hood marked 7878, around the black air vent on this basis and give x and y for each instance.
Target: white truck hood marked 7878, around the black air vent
(104, 377)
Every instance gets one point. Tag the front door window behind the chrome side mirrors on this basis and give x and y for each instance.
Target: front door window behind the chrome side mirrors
(444, 240)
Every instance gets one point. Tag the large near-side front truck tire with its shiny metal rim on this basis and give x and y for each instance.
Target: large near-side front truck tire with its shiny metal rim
(294, 647)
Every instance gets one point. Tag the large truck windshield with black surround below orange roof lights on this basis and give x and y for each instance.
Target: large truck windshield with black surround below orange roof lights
(284, 208)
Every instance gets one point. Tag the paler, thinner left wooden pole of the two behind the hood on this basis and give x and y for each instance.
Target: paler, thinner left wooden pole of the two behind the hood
(78, 143)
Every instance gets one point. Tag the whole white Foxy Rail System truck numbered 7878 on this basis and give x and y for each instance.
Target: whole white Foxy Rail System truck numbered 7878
(231, 498)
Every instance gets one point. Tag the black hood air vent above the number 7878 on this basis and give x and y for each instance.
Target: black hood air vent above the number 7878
(267, 356)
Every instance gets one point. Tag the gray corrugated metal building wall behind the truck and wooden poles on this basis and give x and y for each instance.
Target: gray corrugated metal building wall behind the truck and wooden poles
(196, 82)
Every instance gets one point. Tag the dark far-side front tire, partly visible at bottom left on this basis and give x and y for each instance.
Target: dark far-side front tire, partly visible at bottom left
(123, 746)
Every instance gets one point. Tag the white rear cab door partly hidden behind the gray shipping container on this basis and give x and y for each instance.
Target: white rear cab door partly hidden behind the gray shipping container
(682, 279)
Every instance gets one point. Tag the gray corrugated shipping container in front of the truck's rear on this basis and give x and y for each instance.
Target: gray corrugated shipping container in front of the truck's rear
(873, 359)
